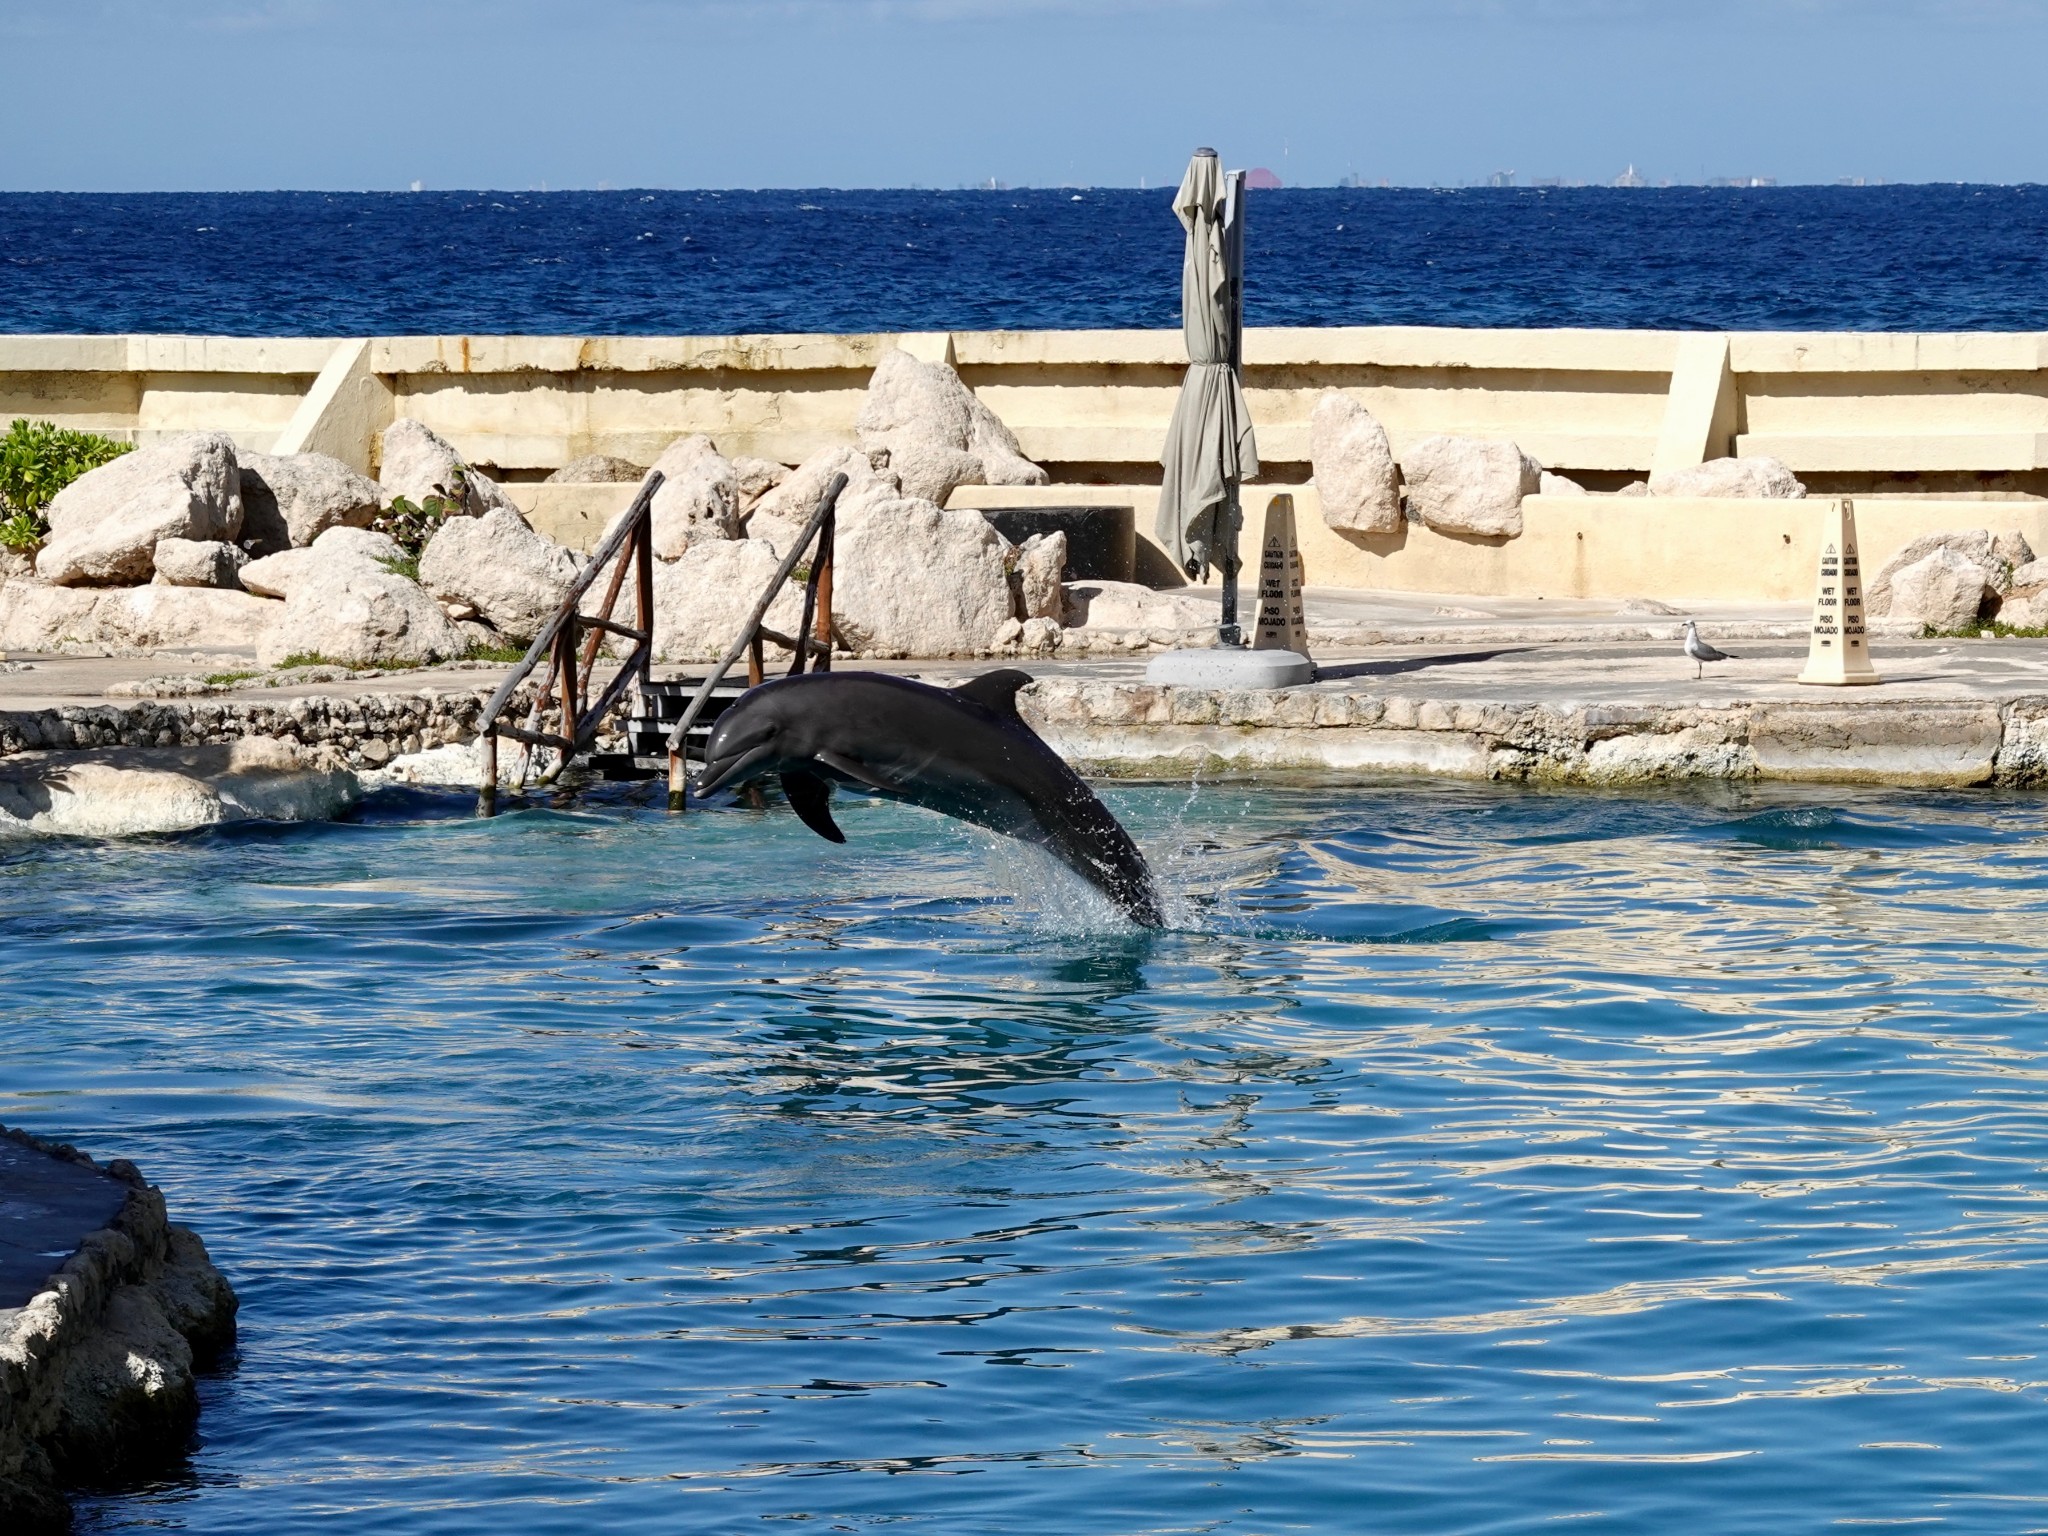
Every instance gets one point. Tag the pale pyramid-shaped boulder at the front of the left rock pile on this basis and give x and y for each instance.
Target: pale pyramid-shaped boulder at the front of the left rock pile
(349, 611)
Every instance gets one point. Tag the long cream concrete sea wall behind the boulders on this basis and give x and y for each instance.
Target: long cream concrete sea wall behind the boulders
(1932, 425)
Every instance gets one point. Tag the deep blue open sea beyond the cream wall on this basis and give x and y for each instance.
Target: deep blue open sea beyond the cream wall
(722, 263)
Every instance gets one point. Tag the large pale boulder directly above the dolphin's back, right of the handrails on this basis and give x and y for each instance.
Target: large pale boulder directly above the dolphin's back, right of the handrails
(916, 581)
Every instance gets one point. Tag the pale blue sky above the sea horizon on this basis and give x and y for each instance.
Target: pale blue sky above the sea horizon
(189, 95)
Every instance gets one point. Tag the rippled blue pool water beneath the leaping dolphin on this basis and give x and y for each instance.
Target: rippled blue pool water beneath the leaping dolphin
(1467, 1162)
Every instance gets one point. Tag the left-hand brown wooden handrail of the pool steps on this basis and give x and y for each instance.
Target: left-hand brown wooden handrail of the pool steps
(562, 697)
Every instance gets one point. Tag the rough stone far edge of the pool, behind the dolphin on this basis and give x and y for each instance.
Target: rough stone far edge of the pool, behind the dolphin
(1134, 730)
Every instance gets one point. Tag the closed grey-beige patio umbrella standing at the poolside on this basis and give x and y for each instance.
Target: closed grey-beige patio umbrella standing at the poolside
(1209, 447)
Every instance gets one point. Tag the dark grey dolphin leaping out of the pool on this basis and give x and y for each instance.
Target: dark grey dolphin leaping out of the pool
(964, 753)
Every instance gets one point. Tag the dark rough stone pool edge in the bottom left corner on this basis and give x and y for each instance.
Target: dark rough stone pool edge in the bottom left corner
(97, 1371)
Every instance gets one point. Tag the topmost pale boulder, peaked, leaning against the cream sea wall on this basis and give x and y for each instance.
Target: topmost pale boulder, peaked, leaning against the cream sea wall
(937, 433)
